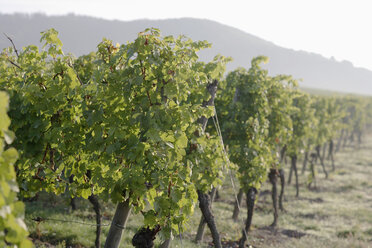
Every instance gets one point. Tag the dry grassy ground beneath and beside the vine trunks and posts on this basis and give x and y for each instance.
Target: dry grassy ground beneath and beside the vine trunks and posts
(336, 214)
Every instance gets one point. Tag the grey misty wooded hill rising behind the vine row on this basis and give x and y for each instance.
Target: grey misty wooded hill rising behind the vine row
(81, 34)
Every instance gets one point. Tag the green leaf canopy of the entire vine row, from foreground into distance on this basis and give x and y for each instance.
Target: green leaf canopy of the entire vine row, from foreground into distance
(125, 122)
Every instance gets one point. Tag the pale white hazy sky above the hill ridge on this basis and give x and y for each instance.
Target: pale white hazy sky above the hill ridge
(339, 28)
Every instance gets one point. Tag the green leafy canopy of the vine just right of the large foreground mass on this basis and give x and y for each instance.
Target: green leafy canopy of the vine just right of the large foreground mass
(245, 111)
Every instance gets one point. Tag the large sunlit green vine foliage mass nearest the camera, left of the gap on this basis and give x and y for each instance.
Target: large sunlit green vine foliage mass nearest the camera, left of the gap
(123, 121)
